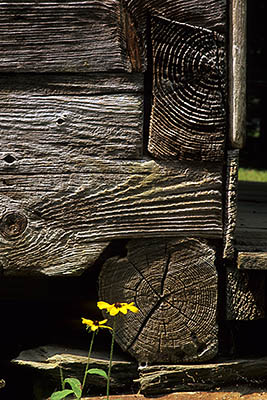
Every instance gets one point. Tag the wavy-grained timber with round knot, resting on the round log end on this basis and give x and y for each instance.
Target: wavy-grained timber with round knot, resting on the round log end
(56, 224)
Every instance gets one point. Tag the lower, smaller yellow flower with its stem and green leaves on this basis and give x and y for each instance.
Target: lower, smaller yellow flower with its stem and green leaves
(76, 386)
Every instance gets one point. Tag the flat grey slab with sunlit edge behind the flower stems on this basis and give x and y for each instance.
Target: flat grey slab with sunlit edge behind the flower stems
(45, 361)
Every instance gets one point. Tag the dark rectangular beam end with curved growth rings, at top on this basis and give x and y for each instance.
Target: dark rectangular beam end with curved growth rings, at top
(188, 119)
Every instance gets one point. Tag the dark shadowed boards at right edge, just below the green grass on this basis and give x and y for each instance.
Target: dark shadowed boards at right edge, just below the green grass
(251, 229)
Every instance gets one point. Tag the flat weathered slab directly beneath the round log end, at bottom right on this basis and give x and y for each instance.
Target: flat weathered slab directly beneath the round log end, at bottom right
(162, 379)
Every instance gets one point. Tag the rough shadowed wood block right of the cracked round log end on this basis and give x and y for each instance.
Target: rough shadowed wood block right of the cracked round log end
(245, 295)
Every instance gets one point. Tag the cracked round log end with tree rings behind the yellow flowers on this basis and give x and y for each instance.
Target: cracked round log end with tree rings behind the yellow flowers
(174, 285)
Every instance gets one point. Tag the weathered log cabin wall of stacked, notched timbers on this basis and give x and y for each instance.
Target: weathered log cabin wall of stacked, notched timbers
(118, 178)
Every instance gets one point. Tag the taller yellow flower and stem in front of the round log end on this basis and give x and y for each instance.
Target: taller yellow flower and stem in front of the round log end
(113, 310)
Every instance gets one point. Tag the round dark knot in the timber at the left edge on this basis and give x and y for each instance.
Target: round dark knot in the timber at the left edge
(12, 225)
